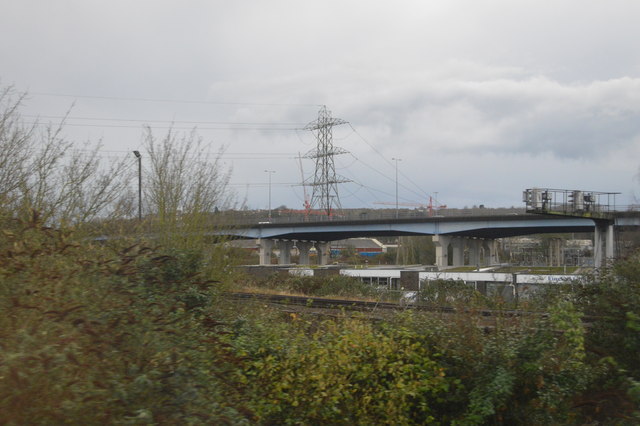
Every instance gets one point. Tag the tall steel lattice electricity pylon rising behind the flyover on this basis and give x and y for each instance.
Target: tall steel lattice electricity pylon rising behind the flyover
(325, 181)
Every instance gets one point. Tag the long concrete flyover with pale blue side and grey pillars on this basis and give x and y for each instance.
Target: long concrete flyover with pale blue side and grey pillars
(477, 234)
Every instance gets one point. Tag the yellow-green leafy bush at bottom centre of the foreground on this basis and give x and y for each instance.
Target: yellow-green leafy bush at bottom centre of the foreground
(346, 372)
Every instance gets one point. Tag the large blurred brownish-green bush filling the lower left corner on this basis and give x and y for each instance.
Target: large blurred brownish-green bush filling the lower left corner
(94, 335)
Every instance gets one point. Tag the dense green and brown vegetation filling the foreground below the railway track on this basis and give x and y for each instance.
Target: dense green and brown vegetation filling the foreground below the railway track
(95, 334)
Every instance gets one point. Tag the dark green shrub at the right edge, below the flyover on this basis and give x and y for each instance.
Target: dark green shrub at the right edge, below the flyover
(611, 302)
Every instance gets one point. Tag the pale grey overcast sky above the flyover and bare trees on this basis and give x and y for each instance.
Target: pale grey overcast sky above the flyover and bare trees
(479, 99)
